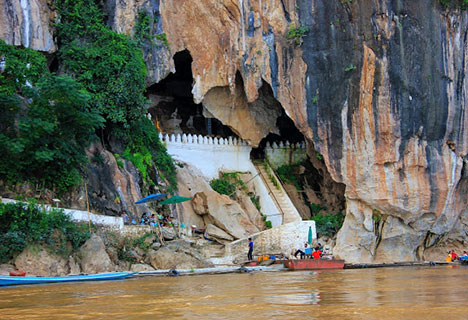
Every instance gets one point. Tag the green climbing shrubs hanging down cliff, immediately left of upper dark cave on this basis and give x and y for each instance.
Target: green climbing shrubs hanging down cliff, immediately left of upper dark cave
(111, 68)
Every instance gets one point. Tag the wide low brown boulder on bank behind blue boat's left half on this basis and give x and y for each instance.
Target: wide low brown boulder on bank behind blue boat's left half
(37, 260)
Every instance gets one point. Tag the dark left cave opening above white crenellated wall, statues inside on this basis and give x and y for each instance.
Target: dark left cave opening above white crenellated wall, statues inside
(172, 106)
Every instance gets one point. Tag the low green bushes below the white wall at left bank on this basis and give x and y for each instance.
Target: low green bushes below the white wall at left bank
(23, 224)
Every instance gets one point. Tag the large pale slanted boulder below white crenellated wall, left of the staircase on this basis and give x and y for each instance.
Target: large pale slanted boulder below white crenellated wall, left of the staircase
(225, 213)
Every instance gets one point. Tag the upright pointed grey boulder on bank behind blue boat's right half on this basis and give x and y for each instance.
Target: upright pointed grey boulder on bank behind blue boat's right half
(93, 256)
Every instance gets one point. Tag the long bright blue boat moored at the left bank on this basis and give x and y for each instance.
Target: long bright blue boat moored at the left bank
(9, 281)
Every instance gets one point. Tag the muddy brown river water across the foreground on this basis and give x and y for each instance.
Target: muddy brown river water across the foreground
(386, 293)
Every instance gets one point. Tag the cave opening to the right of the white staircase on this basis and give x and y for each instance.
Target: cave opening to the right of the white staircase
(300, 169)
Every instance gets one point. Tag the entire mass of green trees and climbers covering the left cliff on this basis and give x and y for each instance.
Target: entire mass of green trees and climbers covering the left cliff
(43, 136)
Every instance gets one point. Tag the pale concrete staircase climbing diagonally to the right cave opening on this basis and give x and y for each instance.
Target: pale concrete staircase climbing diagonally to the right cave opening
(279, 195)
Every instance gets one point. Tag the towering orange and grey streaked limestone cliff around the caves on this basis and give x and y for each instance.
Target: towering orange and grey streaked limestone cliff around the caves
(377, 87)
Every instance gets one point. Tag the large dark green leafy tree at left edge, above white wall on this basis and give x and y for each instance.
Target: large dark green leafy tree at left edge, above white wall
(42, 138)
